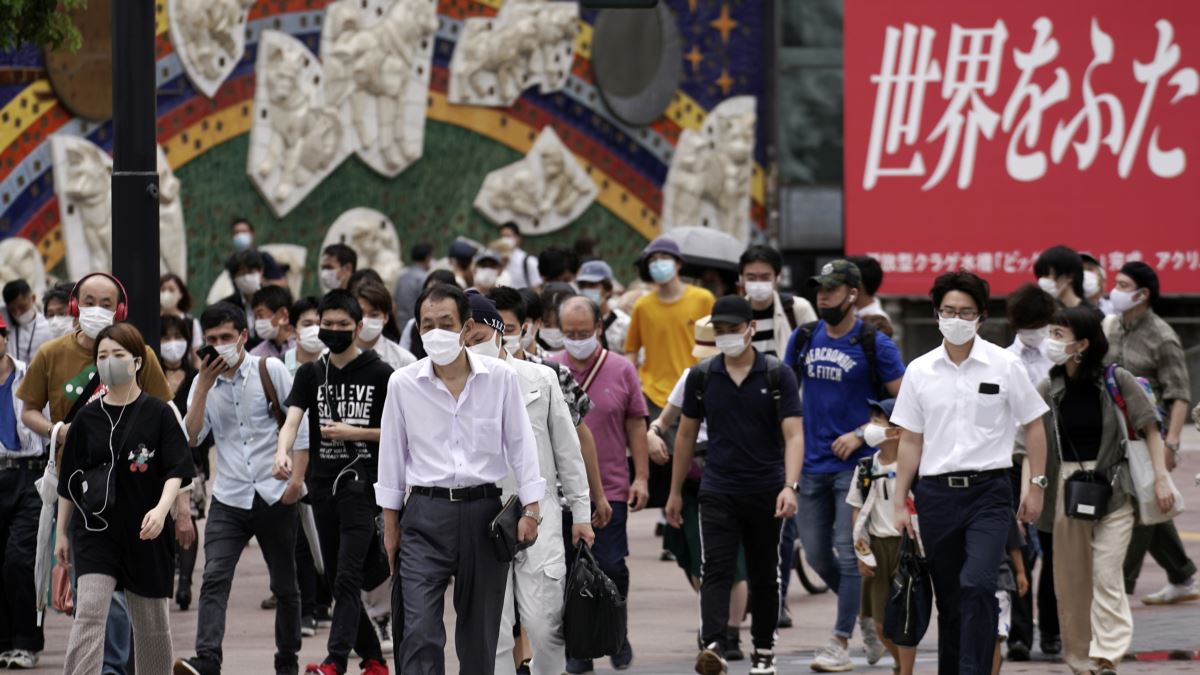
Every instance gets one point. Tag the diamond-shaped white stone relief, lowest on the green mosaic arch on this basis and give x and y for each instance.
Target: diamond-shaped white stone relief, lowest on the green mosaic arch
(543, 193)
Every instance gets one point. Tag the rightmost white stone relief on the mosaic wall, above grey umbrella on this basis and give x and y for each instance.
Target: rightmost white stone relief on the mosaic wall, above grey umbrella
(709, 184)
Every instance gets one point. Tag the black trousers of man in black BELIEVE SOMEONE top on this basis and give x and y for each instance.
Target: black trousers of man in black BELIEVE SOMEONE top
(346, 525)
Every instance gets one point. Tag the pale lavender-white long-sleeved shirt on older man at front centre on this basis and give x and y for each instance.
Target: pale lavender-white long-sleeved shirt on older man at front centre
(430, 439)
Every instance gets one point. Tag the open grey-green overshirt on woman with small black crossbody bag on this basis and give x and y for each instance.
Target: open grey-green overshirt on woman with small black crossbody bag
(1112, 458)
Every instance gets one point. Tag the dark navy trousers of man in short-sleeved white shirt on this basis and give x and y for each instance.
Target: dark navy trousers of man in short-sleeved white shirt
(964, 531)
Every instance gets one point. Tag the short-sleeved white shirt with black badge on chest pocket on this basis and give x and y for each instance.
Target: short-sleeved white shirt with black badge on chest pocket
(969, 414)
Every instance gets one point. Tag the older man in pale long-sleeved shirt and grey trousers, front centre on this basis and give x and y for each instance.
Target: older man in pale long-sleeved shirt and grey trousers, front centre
(454, 426)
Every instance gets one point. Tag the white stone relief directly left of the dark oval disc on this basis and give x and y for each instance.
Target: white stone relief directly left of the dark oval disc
(530, 43)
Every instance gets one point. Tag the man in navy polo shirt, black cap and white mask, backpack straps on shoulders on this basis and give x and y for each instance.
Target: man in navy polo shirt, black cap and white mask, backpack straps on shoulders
(752, 405)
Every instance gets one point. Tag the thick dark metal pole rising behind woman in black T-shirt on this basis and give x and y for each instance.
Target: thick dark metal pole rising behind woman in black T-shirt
(135, 163)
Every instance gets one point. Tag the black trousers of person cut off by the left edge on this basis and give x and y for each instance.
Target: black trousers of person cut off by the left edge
(20, 510)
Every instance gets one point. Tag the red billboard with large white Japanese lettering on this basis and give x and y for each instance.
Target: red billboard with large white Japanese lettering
(981, 134)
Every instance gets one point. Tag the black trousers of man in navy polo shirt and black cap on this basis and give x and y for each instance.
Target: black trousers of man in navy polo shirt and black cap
(727, 523)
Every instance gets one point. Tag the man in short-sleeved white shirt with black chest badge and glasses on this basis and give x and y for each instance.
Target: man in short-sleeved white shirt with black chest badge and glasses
(959, 409)
